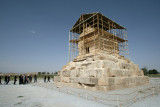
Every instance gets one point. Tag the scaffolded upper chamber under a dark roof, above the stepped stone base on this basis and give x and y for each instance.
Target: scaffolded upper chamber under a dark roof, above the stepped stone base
(93, 34)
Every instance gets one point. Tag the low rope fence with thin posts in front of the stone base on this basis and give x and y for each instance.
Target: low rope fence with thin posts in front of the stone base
(117, 100)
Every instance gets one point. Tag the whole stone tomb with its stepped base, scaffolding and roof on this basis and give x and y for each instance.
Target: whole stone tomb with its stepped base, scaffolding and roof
(101, 63)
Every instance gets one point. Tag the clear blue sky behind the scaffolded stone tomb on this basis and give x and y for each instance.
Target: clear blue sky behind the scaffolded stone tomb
(34, 33)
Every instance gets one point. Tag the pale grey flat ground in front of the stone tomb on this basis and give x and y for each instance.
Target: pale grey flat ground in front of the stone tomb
(42, 94)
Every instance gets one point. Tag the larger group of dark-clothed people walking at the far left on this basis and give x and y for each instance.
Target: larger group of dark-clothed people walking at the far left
(23, 79)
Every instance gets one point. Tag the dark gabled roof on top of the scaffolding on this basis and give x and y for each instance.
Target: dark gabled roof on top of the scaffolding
(87, 17)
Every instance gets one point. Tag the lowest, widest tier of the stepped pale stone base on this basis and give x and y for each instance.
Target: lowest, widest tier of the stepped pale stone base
(103, 84)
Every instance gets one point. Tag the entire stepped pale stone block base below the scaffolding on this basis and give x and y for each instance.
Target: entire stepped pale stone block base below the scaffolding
(102, 72)
